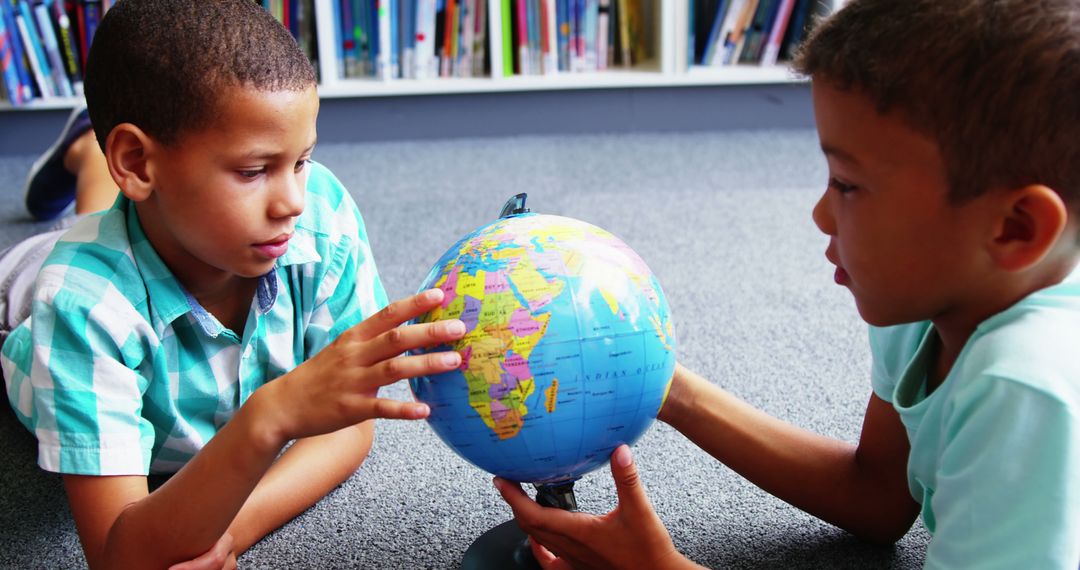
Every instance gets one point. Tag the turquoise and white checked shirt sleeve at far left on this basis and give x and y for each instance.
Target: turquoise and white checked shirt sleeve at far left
(87, 399)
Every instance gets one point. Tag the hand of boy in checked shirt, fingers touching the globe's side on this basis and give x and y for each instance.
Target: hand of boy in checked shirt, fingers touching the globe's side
(340, 386)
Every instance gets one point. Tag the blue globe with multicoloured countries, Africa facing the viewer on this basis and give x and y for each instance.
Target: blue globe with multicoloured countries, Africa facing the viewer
(570, 350)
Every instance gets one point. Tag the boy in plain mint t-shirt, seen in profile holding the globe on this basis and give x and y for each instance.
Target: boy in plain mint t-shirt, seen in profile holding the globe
(952, 131)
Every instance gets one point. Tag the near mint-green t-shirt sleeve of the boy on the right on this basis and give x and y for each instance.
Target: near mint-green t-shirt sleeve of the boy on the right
(1014, 504)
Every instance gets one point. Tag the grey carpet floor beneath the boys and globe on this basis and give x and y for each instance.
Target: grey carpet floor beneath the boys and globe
(722, 219)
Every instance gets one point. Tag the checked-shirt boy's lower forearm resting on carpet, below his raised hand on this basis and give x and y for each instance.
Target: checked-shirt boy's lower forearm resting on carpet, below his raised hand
(305, 473)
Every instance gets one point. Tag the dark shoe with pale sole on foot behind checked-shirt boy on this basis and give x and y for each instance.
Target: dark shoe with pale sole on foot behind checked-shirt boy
(50, 187)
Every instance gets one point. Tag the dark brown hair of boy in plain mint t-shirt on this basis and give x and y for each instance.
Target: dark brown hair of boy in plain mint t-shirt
(995, 83)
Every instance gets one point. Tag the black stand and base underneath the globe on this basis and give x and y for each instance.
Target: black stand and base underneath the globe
(507, 547)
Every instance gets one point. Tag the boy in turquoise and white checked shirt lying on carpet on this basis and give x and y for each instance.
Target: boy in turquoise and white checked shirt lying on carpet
(226, 305)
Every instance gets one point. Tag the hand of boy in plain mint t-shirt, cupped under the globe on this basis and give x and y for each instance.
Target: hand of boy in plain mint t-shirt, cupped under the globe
(631, 536)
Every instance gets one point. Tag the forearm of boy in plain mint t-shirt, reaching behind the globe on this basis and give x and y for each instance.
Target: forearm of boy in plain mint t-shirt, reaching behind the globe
(820, 476)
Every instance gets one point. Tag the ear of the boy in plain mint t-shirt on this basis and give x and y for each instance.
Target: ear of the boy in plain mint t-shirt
(1030, 224)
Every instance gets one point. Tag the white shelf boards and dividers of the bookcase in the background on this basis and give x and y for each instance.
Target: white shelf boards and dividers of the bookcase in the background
(666, 23)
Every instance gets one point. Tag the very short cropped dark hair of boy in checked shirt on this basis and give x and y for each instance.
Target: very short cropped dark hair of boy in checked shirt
(163, 65)
